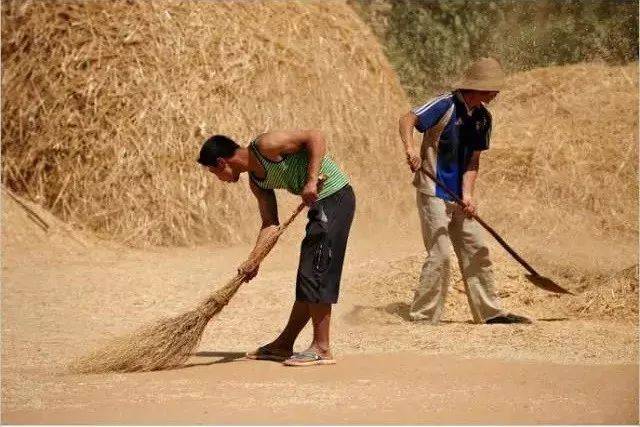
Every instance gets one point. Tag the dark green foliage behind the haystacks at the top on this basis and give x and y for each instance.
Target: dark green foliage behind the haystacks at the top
(430, 42)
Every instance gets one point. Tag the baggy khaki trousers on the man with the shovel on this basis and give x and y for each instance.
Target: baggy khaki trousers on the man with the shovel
(444, 223)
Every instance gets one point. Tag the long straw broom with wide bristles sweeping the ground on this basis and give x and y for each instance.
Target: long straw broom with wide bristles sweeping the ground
(170, 342)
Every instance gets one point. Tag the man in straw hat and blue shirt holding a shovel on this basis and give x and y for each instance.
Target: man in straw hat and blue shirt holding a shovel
(456, 128)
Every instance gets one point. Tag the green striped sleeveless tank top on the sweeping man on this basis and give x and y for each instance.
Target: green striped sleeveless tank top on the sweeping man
(290, 173)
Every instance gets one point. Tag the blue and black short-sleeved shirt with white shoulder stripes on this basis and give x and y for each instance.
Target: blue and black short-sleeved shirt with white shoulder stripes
(466, 132)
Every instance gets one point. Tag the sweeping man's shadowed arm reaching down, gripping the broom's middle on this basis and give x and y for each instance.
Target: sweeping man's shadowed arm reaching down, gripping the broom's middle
(268, 207)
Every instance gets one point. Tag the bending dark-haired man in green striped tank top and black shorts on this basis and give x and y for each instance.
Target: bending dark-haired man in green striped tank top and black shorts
(293, 160)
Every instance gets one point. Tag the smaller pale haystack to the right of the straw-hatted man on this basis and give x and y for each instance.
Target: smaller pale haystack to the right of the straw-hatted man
(564, 151)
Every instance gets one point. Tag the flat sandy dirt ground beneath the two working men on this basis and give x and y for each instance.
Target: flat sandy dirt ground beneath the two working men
(61, 297)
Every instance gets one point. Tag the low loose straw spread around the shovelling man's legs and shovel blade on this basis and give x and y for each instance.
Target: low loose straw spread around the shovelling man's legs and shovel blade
(605, 296)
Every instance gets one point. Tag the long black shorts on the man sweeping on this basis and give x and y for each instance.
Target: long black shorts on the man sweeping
(323, 247)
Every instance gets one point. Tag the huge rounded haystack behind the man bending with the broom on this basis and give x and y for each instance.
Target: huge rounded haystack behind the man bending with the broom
(105, 105)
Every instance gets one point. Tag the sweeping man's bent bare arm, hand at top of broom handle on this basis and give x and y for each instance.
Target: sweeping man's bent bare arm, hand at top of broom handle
(275, 144)
